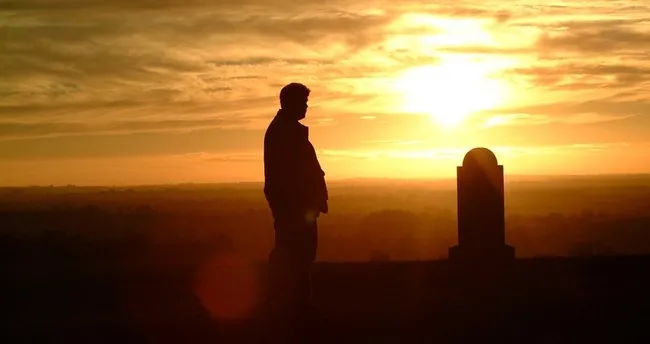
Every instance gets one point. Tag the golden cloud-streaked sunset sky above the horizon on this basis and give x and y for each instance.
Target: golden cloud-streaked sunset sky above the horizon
(99, 92)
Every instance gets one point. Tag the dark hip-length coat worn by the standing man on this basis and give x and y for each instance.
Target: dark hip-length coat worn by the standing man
(293, 177)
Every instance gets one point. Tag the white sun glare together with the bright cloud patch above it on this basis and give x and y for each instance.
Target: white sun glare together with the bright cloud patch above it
(458, 85)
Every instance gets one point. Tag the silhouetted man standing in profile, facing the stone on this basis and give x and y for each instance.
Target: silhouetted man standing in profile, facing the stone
(296, 192)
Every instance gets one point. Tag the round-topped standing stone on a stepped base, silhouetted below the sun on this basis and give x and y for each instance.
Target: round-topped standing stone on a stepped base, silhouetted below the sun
(481, 213)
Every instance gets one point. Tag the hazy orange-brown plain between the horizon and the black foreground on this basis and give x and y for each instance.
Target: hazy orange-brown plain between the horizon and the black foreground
(369, 219)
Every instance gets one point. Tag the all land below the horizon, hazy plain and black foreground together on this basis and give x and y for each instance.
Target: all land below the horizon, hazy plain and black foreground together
(185, 263)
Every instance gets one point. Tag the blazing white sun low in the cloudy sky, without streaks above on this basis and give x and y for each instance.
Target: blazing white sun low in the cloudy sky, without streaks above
(450, 91)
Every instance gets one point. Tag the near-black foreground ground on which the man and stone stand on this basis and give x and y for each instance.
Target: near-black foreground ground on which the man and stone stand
(552, 300)
